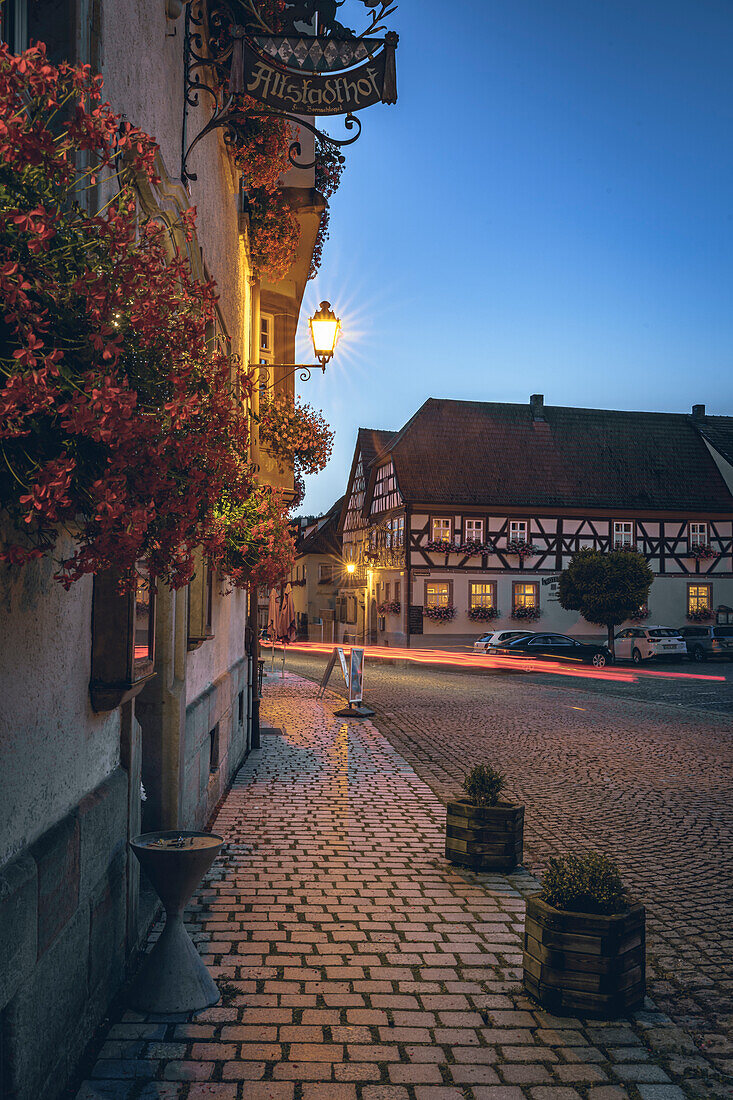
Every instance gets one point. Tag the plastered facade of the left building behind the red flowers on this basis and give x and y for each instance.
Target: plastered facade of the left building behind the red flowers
(122, 714)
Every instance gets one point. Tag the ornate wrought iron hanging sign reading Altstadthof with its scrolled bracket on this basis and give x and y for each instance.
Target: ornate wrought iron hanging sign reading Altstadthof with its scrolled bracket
(291, 73)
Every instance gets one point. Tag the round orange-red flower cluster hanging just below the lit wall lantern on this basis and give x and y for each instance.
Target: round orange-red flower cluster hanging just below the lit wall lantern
(296, 433)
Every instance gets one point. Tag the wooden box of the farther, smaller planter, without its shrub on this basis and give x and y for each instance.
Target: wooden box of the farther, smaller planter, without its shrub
(485, 839)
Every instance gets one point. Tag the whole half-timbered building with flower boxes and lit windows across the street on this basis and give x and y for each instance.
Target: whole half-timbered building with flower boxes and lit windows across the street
(465, 519)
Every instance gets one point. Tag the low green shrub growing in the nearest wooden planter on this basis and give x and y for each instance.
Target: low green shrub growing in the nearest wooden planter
(585, 884)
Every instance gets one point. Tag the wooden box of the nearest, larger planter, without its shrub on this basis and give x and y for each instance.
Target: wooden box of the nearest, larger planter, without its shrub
(585, 963)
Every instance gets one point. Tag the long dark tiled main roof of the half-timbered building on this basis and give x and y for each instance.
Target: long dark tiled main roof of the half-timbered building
(496, 455)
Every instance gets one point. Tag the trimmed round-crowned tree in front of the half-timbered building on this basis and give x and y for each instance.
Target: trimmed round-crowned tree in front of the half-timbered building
(607, 589)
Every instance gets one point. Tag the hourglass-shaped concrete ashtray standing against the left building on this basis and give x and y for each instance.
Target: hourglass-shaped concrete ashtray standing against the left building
(173, 977)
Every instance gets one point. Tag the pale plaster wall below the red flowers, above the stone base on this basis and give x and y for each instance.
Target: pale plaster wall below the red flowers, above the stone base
(53, 749)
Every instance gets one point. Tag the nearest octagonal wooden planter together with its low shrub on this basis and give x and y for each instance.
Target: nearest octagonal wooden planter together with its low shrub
(585, 943)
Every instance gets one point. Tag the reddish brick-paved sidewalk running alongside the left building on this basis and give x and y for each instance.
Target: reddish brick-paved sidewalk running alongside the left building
(356, 964)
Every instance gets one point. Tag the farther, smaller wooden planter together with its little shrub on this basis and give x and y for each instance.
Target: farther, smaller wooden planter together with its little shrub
(482, 832)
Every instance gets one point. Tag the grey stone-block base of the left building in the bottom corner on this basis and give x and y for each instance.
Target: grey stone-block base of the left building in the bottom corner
(63, 934)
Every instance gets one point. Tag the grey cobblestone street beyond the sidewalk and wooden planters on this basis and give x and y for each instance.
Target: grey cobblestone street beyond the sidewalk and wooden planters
(651, 785)
